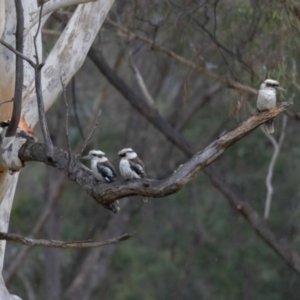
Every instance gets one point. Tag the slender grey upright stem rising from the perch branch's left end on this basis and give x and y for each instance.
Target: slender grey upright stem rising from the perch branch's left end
(39, 94)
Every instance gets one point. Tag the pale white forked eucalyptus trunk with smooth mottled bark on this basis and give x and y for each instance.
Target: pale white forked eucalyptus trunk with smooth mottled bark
(63, 62)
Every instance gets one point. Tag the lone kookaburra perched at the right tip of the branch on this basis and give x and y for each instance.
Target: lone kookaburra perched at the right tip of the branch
(266, 99)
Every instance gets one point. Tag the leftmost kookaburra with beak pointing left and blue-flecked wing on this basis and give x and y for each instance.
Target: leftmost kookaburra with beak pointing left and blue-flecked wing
(101, 167)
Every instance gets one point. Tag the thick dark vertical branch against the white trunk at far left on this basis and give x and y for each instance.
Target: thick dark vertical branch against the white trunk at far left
(17, 106)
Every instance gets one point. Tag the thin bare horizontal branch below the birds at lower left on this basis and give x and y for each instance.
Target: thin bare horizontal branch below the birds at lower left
(60, 244)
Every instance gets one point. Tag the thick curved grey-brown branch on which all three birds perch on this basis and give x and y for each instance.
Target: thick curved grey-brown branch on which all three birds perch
(106, 194)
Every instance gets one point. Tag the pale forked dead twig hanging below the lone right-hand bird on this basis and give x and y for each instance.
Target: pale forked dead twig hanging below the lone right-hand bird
(277, 147)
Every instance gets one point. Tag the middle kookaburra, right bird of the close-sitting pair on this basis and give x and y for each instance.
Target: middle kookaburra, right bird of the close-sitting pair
(131, 167)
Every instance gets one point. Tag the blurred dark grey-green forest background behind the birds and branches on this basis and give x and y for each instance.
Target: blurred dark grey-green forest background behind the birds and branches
(193, 244)
